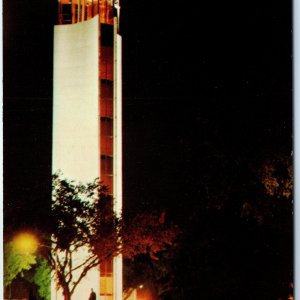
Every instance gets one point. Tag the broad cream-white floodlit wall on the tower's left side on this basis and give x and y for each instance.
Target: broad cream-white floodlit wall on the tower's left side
(76, 117)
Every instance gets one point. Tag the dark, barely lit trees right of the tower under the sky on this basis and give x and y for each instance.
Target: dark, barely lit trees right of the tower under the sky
(237, 232)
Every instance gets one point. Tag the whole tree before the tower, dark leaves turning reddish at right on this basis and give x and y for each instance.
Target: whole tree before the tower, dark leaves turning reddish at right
(84, 221)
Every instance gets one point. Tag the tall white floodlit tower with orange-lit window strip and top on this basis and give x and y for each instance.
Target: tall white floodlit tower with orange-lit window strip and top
(87, 113)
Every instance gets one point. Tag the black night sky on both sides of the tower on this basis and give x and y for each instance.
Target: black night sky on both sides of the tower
(216, 78)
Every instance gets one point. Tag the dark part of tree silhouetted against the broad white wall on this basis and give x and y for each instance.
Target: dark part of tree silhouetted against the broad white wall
(73, 211)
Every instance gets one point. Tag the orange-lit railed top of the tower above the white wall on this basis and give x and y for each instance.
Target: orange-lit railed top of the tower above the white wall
(75, 11)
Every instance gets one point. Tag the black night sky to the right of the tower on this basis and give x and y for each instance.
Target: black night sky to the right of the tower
(216, 78)
